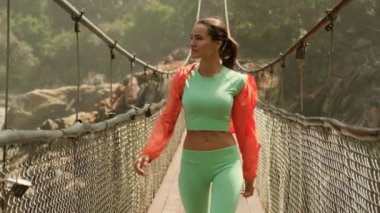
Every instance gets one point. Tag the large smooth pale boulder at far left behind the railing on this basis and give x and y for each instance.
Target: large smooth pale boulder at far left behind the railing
(31, 110)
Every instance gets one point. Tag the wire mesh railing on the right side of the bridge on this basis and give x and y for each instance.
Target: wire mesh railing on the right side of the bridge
(316, 168)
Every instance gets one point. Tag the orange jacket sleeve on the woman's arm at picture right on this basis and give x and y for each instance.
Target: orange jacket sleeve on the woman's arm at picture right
(244, 124)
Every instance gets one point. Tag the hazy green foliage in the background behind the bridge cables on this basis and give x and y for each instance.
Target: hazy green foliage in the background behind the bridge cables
(43, 42)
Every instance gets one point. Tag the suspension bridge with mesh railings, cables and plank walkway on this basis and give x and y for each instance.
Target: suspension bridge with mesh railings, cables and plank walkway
(307, 164)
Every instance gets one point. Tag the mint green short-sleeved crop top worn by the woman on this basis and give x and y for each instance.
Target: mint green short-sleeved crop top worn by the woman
(207, 101)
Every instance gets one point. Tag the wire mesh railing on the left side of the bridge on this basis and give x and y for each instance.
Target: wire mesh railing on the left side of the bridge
(89, 173)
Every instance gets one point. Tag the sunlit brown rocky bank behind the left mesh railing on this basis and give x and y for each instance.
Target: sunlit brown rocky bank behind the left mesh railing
(56, 108)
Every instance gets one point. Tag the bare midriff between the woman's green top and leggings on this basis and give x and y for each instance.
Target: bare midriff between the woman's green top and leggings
(208, 140)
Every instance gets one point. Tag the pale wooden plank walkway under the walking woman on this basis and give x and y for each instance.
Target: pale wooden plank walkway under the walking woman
(167, 199)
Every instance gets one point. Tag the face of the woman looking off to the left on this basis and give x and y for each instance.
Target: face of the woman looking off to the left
(201, 44)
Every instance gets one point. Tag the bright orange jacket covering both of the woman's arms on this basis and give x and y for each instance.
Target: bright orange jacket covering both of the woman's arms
(242, 122)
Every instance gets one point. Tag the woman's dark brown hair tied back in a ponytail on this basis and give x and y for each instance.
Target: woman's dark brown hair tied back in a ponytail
(217, 30)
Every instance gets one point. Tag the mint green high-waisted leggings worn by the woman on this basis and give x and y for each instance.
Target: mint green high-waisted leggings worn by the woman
(222, 168)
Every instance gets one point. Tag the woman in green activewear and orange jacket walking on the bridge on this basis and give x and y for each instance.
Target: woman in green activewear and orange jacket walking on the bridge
(217, 102)
